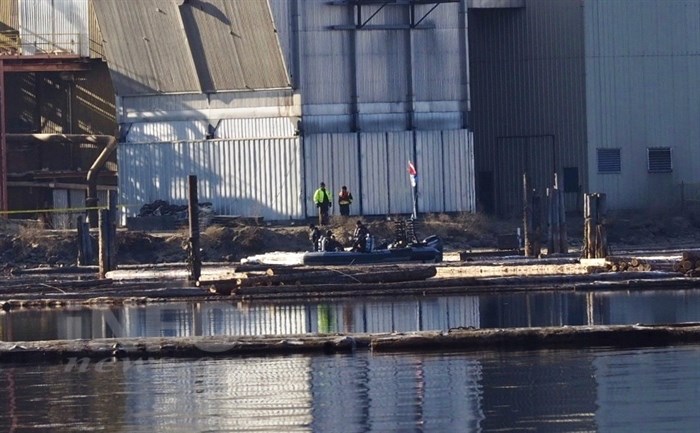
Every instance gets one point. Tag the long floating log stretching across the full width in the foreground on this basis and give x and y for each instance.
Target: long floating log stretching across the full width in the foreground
(79, 353)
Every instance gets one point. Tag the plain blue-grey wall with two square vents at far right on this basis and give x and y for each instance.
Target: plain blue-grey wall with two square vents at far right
(643, 90)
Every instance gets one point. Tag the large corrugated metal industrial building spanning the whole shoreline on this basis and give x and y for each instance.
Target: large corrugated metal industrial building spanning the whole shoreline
(264, 99)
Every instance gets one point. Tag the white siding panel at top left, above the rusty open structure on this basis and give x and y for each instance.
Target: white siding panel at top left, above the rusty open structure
(54, 26)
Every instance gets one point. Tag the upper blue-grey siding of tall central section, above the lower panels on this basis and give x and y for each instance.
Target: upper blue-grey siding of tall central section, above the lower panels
(385, 77)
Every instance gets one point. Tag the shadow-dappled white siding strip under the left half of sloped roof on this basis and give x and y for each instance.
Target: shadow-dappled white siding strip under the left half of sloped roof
(151, 132)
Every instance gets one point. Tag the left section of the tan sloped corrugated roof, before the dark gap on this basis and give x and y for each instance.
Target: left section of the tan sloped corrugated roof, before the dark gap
(146, 47)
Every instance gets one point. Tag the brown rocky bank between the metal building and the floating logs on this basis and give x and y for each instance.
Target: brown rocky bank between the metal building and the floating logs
(25, 244)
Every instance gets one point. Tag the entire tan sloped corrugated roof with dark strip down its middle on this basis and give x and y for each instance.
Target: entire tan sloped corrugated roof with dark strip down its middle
(157, 46)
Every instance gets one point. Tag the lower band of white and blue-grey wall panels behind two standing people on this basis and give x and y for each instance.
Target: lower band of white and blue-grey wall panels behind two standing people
(276, 179)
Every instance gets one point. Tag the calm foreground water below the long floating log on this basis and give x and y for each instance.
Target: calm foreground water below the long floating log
(651, 390)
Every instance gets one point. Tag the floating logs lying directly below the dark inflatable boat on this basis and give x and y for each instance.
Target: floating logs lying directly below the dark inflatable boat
(326, 276)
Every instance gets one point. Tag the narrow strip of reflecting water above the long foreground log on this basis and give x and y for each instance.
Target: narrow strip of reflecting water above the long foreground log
(350, 316)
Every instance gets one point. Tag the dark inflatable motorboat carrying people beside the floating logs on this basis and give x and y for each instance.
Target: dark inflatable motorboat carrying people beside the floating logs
(427, 251)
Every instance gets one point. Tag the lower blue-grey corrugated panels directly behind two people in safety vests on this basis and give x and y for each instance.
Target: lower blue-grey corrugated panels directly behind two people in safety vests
(444, 161)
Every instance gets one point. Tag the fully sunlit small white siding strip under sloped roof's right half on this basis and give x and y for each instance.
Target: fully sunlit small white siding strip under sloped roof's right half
(256, 128)
